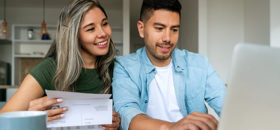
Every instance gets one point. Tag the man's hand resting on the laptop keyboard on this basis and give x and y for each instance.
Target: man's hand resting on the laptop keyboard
(194, 121)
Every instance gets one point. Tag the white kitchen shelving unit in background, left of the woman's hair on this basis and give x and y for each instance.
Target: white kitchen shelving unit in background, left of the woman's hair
(26, 52)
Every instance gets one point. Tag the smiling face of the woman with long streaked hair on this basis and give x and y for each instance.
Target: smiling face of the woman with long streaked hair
(95, 33)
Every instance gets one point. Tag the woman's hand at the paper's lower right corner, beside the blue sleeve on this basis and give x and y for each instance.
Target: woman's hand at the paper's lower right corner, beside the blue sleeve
(116, 120)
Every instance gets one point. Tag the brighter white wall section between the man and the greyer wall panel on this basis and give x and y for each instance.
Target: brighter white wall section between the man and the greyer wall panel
(225, 29)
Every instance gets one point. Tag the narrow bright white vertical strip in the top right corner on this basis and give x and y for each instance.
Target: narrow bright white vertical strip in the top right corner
(275, 23)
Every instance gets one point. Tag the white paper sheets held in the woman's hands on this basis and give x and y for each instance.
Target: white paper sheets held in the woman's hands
(83, 109)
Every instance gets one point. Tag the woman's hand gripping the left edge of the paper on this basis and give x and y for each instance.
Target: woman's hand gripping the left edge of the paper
(42, 104)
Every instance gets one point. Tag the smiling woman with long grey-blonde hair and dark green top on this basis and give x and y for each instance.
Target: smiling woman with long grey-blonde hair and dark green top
(79, 60)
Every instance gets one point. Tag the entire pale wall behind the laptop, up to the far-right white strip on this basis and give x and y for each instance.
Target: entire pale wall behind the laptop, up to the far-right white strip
(230, 22)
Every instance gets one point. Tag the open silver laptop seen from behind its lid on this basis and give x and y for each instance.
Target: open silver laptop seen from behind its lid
(253, 97)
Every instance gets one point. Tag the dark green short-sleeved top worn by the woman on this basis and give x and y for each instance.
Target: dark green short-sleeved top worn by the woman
(88, 81)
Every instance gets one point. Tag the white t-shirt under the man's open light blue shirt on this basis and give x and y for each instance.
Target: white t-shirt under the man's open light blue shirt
(162, 103)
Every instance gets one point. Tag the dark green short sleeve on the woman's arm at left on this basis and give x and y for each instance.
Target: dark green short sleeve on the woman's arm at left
(44, 73)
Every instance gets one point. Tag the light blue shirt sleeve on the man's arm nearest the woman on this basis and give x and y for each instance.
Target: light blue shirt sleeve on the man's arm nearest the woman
(126, 95)
